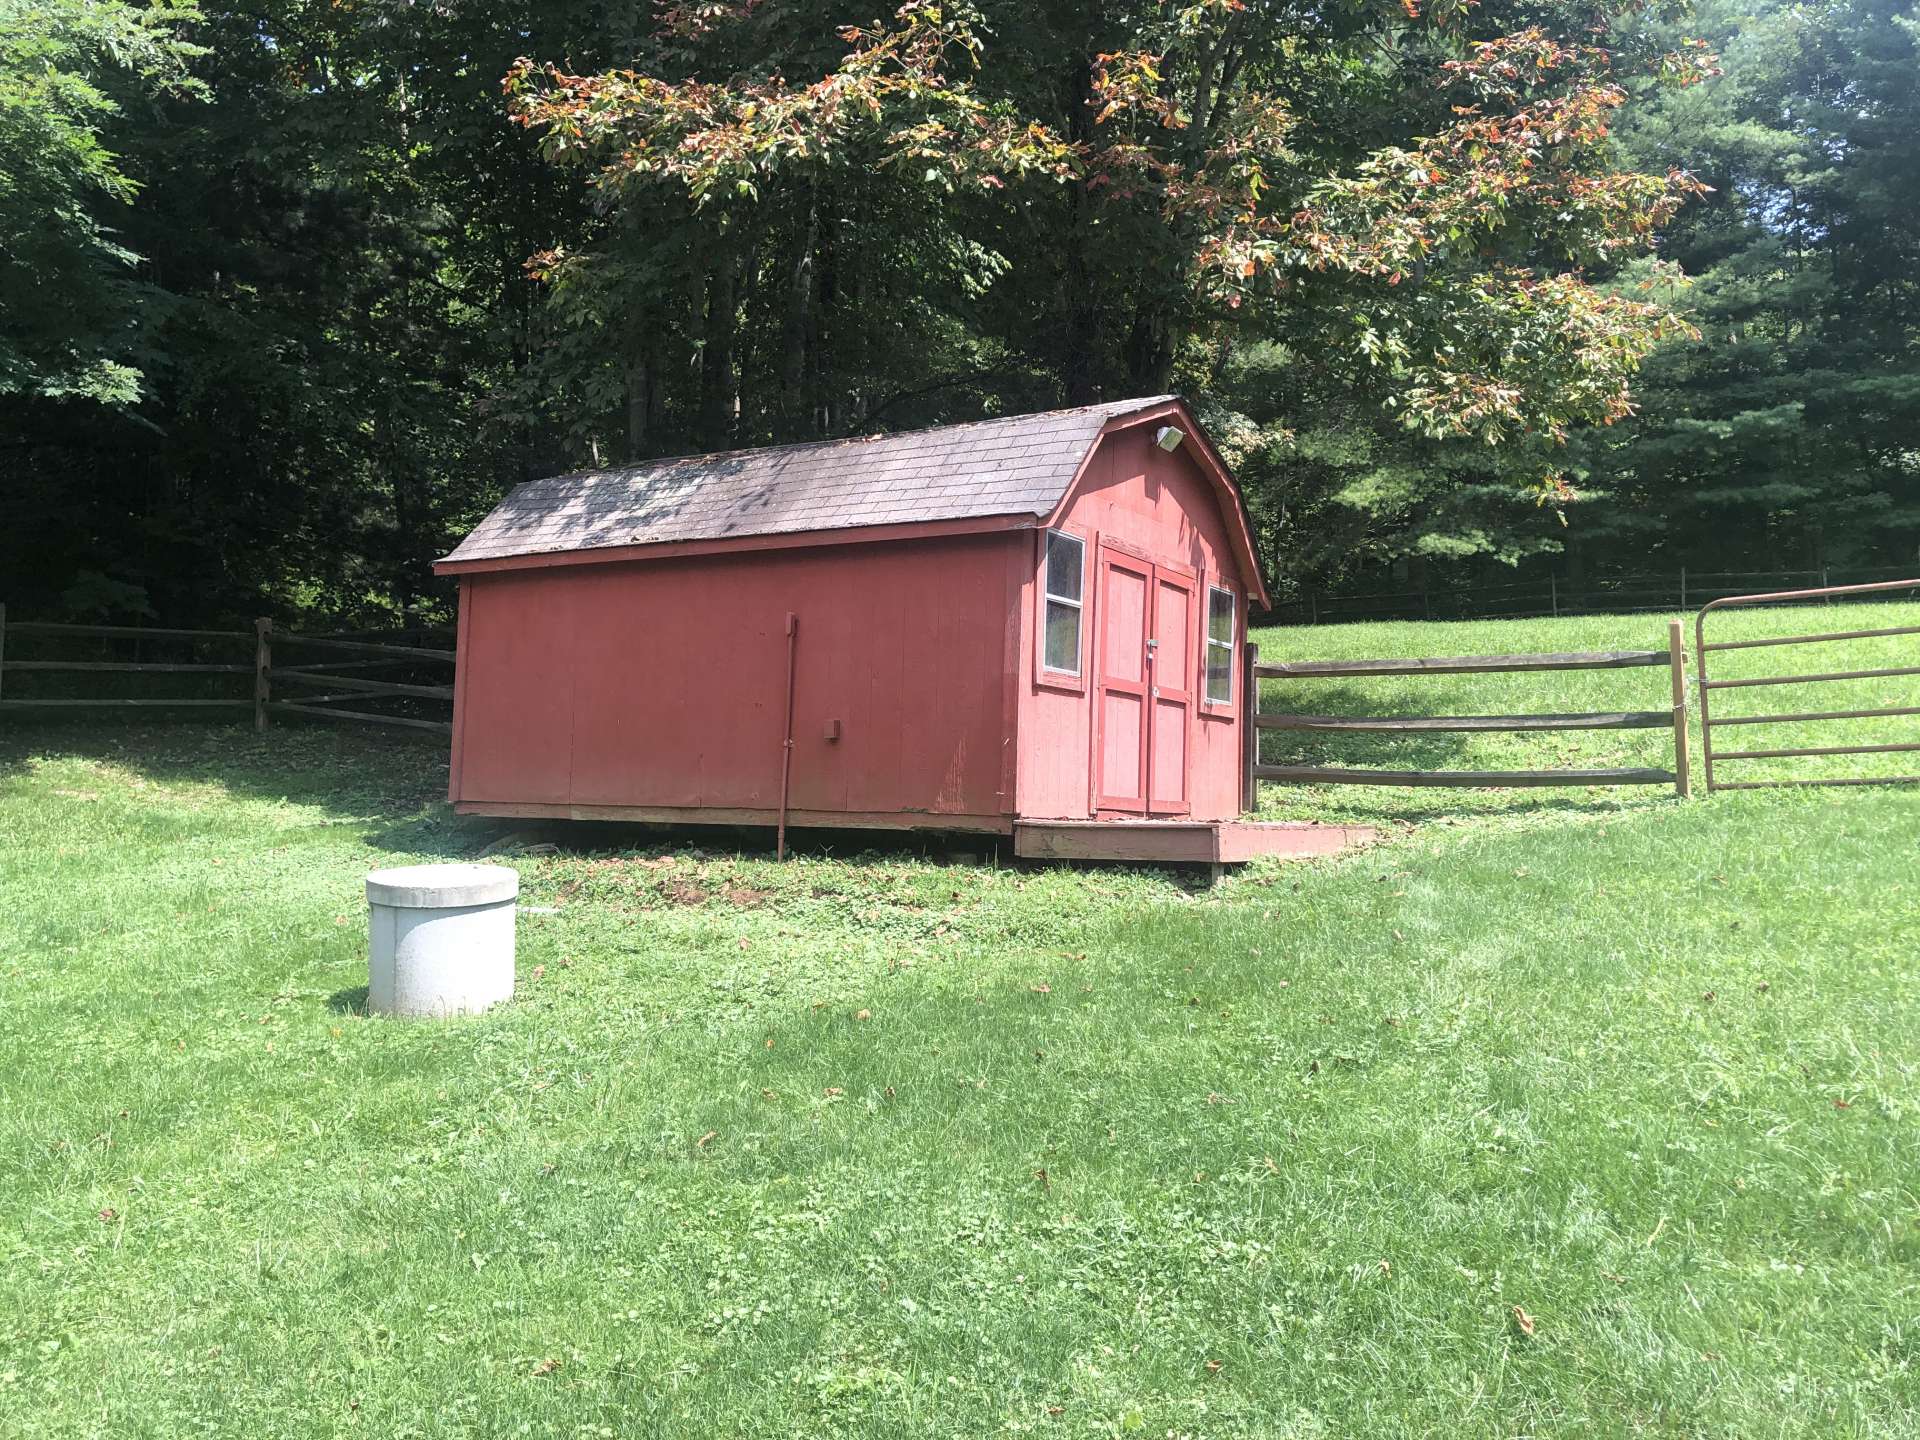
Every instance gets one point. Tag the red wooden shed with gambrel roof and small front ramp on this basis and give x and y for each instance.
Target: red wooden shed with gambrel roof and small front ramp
(1022, 627)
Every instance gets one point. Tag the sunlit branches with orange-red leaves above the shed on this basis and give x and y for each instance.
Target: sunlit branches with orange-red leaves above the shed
(1460, 254)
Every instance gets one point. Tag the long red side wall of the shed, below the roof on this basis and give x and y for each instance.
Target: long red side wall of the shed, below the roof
(663, 684)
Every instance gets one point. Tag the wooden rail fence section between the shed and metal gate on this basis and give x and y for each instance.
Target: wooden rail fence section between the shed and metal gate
(1468, 665)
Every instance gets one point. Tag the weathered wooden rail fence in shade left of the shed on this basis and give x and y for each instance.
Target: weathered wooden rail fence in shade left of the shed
(327, 677)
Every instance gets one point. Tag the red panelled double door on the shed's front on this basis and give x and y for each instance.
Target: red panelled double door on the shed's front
(1143, 686)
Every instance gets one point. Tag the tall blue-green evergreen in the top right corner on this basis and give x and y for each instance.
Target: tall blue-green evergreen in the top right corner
(1790, 437)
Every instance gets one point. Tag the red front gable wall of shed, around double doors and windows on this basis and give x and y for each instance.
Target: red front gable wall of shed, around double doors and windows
(1138, 498)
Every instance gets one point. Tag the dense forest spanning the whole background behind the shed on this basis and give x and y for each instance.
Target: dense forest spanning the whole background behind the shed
(291, 293)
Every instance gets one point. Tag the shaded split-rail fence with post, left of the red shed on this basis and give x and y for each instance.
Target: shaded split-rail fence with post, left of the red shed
(329, 677)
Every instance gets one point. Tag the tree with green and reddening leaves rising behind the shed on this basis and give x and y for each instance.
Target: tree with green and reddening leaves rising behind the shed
(1403, 204)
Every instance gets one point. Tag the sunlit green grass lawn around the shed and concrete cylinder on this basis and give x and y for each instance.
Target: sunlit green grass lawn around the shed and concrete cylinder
(1550, 1116)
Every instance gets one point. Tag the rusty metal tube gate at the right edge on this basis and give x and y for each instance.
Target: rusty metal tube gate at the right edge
(1710, 723)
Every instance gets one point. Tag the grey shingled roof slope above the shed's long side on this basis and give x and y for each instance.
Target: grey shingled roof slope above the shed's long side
(1019, 466)
